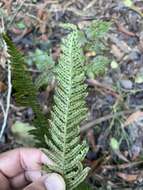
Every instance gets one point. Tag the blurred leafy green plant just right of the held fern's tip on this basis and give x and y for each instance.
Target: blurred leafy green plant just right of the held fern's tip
(94, 43)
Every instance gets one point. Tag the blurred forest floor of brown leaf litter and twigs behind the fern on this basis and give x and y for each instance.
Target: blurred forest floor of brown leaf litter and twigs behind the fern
(114, 128)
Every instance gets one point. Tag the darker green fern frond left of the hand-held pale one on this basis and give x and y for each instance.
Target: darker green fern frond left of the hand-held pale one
(25, 91)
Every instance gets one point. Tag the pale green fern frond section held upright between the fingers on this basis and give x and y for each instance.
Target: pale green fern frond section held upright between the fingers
(64, 146)
